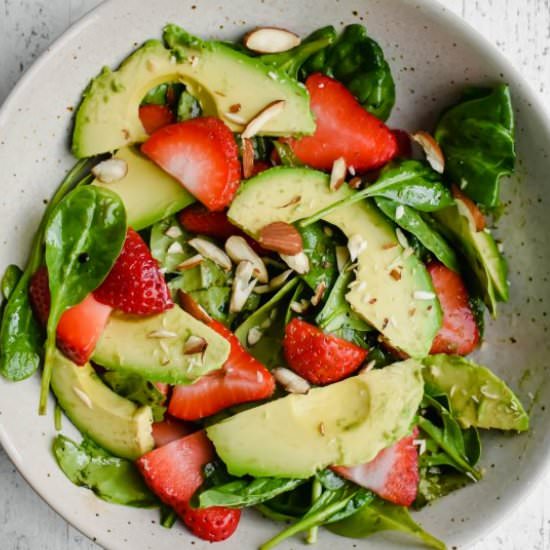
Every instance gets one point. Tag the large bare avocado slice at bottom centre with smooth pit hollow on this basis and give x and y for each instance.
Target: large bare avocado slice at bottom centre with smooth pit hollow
(346, 423)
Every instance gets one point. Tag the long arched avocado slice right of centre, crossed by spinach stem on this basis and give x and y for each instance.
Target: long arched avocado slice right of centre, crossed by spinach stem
(397, 308)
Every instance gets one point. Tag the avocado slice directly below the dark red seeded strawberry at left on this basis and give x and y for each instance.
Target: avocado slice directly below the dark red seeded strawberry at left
(153, 347)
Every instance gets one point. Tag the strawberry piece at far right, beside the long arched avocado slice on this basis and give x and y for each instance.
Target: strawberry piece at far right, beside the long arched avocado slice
(459, 333)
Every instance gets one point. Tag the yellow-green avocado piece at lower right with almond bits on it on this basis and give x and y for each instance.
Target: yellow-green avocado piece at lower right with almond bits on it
(476, 395)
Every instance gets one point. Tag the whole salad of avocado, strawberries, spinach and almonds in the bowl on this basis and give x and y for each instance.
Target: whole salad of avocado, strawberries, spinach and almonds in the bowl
(251, 292)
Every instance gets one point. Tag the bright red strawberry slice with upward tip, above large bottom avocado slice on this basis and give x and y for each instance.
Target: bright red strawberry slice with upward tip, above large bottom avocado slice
(240, 380)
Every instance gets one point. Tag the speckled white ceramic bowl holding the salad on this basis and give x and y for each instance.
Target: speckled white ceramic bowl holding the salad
(433, 55)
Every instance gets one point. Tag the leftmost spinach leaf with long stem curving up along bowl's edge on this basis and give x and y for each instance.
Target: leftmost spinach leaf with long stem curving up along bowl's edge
(20, 334)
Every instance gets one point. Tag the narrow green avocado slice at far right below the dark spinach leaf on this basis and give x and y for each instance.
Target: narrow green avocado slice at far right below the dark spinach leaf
(481, 251)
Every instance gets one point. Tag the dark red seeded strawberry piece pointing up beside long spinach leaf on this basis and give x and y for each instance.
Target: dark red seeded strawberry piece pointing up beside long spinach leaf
(135, 283)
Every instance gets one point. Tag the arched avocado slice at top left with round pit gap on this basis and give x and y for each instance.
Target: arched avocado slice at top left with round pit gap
(216, 74)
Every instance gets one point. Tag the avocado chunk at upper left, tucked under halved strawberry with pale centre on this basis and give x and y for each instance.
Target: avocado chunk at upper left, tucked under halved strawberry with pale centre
(149, 194)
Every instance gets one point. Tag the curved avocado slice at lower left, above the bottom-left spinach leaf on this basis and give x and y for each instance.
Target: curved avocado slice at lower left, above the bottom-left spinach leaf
(117, 424)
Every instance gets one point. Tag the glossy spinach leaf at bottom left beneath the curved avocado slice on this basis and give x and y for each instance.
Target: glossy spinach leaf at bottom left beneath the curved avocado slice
(111, 478)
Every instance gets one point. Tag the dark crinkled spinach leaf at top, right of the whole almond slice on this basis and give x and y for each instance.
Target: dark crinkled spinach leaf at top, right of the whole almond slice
(357, 61)
